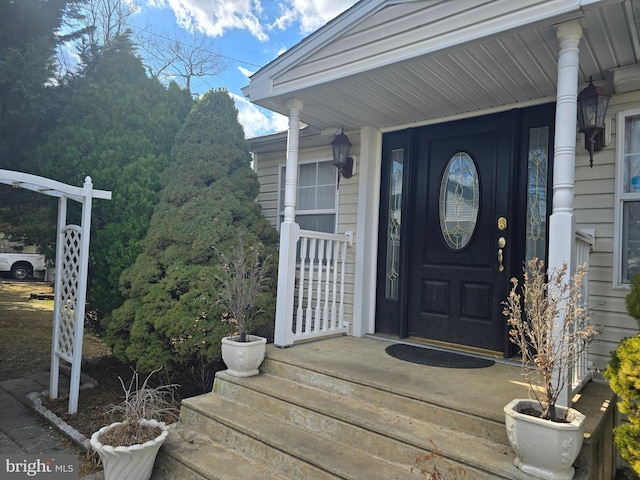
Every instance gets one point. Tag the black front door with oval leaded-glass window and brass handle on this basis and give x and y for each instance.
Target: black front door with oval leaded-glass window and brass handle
(459, 234)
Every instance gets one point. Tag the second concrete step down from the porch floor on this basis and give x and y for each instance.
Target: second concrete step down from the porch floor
(379, 431)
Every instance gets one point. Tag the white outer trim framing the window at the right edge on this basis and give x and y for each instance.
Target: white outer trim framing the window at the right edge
(620, 197)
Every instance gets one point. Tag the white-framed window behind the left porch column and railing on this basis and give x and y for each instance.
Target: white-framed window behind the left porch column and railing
(316, 196)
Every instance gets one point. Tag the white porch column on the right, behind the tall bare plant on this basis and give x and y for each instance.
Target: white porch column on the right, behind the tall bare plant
(562, 221)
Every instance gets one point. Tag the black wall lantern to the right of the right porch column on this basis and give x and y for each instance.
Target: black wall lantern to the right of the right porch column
(592, 108)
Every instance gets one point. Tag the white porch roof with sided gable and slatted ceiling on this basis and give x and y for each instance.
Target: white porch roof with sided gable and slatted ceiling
(389, 63)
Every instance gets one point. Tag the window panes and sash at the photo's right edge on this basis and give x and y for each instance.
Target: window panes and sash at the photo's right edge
(628, 197)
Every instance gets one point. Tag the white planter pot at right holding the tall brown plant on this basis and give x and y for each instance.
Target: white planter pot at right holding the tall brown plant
(544, 449)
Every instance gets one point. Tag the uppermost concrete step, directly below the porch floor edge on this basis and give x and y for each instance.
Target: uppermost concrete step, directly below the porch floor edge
(423, 406)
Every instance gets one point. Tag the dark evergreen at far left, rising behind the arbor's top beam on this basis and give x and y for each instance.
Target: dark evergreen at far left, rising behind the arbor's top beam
(29, 101)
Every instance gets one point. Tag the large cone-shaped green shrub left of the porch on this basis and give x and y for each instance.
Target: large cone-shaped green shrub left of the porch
(171, 316)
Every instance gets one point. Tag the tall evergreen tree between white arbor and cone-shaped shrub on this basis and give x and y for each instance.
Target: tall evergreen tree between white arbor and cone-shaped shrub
(118, 128)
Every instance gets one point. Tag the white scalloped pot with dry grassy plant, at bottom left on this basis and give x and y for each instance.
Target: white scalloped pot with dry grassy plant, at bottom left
(128, 447)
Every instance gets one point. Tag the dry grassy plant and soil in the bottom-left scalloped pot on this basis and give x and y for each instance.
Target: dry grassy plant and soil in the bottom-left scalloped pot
(141, 402)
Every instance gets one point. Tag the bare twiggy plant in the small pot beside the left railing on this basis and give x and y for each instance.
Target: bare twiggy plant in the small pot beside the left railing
(242, 279)
